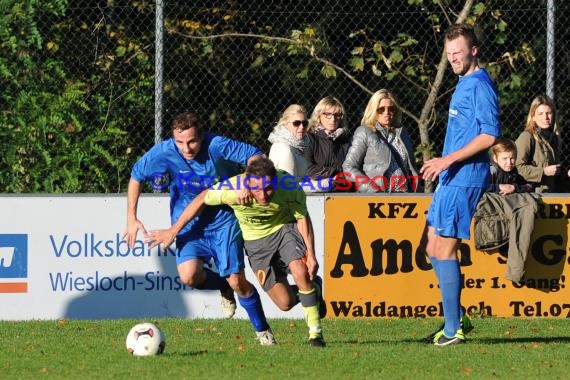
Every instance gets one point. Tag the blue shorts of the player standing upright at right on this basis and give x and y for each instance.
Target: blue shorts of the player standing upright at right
(451, 210)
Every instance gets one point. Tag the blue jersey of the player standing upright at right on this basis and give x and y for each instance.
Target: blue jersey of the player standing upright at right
(474, 110)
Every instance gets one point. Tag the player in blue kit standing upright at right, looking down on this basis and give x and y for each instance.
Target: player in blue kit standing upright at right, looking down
(463, 170)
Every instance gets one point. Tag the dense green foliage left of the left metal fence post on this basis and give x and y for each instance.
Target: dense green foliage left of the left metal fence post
(50, 140)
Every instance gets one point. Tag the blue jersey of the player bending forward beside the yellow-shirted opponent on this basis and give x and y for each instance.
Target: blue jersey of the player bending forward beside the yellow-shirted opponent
(219, 158)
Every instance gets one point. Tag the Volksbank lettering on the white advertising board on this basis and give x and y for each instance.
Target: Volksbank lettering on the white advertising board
(89, 245)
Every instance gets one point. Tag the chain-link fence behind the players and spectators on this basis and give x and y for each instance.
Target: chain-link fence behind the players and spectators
(238, 64)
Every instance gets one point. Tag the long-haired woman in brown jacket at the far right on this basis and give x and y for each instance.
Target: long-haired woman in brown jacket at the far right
(539, 148)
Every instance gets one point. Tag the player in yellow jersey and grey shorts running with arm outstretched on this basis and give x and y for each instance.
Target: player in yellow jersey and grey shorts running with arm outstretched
(278, 237)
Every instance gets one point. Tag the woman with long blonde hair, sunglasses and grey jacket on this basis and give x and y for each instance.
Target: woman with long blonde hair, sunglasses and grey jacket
(381, 157)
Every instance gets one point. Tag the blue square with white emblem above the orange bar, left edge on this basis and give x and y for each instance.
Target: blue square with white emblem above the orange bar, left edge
(13, 255)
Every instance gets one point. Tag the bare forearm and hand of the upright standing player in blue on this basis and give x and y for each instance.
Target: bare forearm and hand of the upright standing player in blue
(432, 168)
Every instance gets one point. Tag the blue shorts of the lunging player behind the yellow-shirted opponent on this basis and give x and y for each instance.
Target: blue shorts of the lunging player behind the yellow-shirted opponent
(224, 245)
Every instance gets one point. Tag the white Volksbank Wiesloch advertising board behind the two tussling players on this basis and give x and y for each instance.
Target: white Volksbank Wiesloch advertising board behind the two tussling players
(63, 257)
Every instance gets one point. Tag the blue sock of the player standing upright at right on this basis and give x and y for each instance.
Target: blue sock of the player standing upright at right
(449, 276)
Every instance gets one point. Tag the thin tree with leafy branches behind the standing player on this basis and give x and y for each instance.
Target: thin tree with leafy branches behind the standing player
(413, 61)
